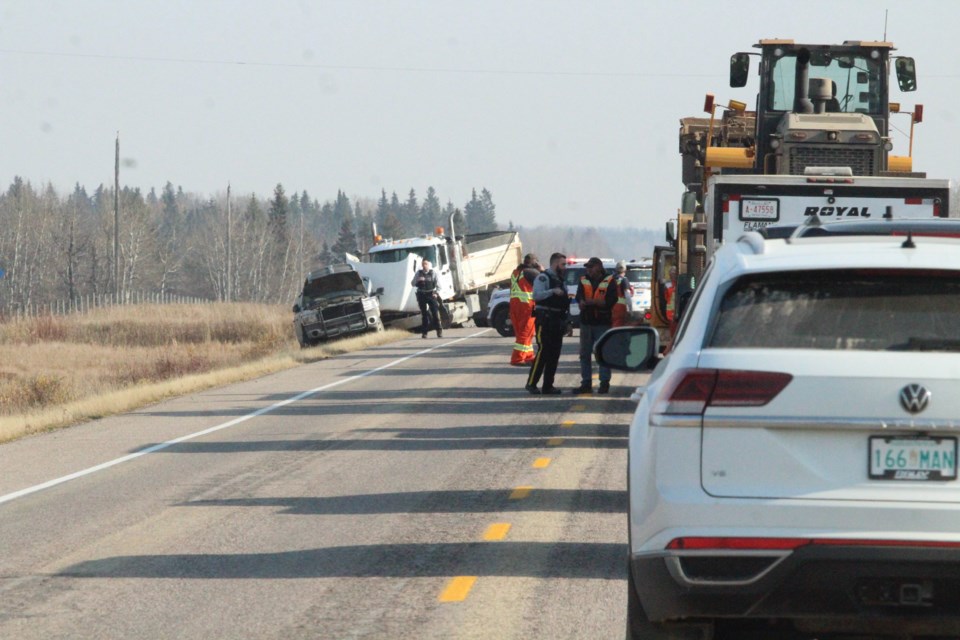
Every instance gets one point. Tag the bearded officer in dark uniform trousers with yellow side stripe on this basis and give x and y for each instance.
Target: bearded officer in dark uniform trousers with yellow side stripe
(552, 306)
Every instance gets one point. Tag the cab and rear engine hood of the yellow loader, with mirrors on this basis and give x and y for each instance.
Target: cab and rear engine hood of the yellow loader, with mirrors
(823, 105)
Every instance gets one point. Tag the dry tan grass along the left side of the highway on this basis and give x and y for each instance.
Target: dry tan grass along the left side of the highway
(60, 370)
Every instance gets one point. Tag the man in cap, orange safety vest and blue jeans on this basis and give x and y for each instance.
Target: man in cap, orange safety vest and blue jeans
(596, 295)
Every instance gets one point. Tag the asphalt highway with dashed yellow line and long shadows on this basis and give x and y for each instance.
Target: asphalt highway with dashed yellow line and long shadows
(412, 490)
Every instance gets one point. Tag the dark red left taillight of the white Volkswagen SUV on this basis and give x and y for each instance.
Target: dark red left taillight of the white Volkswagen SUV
(691, 391)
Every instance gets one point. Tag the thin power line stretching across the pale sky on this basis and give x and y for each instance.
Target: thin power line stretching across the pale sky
(331, 67)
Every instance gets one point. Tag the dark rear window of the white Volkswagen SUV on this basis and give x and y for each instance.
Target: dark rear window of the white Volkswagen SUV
(869, 310)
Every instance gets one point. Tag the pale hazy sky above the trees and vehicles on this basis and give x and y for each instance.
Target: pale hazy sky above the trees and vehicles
(567, 111)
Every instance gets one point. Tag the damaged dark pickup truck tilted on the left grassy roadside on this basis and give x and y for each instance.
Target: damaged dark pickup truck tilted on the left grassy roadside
(335, 302)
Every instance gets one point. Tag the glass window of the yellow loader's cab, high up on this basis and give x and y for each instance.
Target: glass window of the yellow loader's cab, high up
(856, 81)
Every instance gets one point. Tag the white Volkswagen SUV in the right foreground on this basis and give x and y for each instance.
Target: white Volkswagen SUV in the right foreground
(793, 460)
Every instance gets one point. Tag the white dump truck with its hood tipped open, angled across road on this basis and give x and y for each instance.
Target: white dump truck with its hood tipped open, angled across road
(469, 268)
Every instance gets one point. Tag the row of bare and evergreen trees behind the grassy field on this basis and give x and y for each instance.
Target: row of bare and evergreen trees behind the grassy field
(56, 247)
